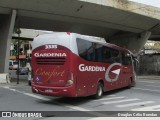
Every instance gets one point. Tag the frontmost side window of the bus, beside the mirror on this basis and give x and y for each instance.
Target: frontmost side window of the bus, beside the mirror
(126, 58)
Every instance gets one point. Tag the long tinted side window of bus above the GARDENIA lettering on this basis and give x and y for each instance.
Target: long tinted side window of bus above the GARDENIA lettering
(97, 52)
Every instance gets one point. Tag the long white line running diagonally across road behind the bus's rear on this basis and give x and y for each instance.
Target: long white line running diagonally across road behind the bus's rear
(62, 104)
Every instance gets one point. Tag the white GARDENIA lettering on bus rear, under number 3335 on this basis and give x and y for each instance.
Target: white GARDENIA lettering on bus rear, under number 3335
(50, 55)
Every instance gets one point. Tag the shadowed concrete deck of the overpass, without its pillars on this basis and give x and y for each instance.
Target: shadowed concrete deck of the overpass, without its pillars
(81, 17)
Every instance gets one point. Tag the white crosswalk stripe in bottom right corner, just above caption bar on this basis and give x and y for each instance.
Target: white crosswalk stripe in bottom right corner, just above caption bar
(151, 108)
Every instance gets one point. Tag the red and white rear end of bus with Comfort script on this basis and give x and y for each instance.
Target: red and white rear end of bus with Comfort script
(51, 66)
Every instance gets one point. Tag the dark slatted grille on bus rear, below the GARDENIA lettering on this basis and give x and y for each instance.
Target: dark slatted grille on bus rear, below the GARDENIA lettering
(50, 61)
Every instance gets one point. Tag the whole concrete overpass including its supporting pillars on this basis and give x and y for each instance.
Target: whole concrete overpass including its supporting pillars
(120, 21)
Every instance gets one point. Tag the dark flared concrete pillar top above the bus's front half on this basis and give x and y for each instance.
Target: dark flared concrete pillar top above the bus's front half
(131, 41)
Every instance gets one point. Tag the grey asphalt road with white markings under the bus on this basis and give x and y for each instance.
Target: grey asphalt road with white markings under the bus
(144, 97)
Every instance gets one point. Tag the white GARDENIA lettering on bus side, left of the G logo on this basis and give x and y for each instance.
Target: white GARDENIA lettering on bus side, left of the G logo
(82, 67)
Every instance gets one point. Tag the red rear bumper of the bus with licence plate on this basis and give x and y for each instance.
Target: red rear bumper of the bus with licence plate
(68, 91)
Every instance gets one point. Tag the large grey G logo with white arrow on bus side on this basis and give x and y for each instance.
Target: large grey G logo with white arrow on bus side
(116, 72)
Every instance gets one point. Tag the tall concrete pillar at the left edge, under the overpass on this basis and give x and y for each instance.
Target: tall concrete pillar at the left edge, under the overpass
(6, 27)
